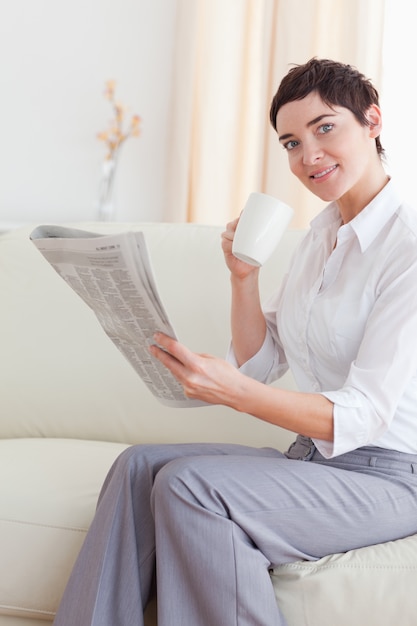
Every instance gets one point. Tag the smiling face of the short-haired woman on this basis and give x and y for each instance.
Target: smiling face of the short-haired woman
(329, 151)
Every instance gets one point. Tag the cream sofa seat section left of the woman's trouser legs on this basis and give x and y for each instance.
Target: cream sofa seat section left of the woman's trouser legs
(48, 495)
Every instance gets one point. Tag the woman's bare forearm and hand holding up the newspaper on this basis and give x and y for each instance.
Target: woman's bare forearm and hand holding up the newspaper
(215, 381)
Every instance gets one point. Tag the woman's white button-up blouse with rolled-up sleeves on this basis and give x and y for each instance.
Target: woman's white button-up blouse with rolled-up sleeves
(345, 322)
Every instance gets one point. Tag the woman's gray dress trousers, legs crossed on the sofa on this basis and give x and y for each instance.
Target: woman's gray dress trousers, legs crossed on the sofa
(215, 518)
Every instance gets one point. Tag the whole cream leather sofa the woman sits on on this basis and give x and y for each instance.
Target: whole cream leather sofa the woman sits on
(70, 404)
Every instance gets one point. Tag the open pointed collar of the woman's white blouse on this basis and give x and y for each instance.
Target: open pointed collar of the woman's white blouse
(369, 222)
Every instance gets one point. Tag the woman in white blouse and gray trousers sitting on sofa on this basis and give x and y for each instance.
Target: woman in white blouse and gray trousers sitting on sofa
(216, 518)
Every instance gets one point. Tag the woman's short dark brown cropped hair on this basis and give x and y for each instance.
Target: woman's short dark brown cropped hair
(337, 85)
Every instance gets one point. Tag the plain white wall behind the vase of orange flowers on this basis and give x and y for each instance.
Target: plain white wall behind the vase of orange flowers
(55, 57)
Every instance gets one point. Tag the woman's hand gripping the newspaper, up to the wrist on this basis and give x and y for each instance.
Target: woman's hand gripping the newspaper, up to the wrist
(202, 376)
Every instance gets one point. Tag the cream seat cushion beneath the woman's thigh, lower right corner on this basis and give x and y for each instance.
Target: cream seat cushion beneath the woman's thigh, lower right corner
(351, 588)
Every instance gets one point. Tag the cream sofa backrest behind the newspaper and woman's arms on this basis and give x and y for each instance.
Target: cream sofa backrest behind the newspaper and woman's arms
(62, 377)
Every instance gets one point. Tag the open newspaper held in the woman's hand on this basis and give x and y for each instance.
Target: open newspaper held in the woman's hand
(113, 275)
